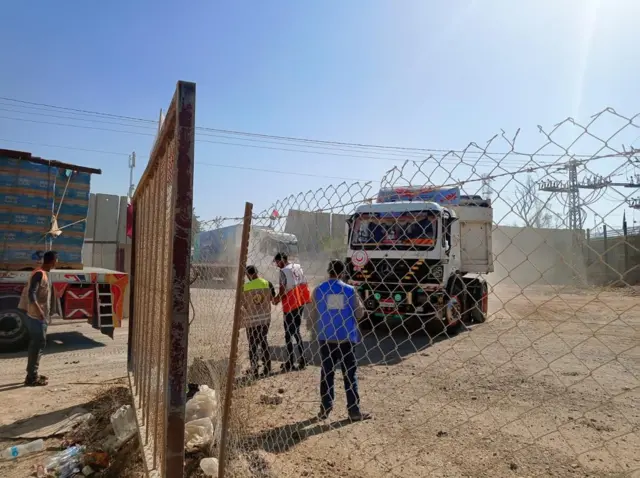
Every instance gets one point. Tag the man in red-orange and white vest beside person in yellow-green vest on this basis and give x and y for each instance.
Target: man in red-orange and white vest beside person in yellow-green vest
(294, 295)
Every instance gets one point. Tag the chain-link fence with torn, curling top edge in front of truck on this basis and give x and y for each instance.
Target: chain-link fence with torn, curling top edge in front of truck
(487, 340)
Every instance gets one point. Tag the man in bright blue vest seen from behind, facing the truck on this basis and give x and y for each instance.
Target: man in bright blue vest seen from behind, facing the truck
(335, 312)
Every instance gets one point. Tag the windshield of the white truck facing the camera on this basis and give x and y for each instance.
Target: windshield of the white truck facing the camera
(399, 231)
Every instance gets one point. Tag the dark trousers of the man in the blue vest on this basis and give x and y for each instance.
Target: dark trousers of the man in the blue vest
(332, 353)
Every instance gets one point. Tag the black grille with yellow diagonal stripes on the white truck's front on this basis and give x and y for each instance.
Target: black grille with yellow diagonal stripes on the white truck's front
(398, 271)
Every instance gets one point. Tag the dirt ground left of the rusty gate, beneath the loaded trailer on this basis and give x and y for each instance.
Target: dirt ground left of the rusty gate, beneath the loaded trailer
(80, 362)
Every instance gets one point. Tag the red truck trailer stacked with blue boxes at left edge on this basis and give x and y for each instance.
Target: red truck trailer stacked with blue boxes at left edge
(43, 207)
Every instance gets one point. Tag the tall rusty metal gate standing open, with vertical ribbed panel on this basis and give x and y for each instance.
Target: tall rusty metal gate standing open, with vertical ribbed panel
(158, 325)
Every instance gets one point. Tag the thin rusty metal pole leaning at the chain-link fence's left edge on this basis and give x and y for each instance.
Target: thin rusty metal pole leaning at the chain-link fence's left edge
(233, 353)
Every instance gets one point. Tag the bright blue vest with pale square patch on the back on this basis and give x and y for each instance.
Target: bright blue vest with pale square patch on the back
(336, 304)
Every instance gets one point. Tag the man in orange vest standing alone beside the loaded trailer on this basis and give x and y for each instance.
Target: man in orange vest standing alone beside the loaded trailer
(35, 300)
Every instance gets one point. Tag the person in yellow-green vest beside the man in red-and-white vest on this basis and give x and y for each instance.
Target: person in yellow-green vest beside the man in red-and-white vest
(258, 294)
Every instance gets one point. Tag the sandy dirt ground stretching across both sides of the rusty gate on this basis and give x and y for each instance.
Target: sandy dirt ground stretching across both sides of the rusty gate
(549, 386)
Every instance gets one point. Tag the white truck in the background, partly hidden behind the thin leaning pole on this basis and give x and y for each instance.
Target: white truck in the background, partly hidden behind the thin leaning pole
(216, 253)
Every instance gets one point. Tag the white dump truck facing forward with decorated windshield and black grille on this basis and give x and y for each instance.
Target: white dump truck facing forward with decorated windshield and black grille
(417, 257)
